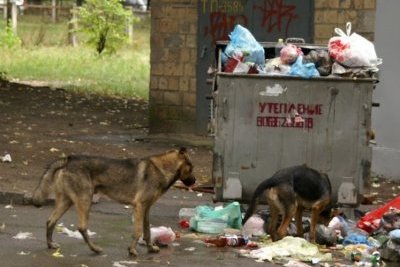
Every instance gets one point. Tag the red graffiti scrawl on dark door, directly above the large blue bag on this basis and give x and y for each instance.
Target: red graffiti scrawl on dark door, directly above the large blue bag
(222, 24)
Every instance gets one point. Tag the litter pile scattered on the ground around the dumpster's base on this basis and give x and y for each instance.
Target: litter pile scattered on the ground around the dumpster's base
(370, 241)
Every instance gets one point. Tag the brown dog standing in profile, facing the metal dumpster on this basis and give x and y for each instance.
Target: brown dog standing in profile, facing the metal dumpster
(135, 181)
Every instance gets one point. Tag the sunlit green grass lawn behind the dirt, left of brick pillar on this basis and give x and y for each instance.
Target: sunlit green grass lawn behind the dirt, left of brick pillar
(45, 56)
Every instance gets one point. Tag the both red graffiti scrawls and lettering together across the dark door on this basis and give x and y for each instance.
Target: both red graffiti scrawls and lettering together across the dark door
(223, 15)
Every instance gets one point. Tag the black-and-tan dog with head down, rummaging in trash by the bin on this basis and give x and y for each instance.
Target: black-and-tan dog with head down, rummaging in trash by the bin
(290, 191)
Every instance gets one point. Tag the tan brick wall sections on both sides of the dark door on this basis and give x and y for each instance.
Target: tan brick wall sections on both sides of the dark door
(174, 53)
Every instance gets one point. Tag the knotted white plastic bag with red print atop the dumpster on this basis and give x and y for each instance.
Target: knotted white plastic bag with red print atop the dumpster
(352, 50)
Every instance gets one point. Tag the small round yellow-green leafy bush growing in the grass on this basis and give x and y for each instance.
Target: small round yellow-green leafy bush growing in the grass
(104, 21)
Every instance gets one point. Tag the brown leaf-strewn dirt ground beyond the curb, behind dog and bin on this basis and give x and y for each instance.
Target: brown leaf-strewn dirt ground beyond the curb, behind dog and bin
(39, 124)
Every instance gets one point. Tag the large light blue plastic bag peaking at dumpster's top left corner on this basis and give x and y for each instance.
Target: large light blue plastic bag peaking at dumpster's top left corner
(242, 40)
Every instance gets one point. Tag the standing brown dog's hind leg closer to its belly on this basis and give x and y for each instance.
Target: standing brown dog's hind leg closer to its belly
(83, 208)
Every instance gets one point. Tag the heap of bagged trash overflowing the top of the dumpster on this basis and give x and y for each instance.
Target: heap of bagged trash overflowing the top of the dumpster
(346, 55)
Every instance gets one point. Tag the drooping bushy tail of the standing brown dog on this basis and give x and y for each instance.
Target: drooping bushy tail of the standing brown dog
(42, 191)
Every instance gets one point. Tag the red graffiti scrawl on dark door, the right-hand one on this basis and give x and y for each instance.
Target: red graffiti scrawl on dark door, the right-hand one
(276, 14)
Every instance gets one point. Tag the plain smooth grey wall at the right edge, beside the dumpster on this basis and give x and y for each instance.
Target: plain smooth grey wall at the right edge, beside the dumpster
(386, 119)
